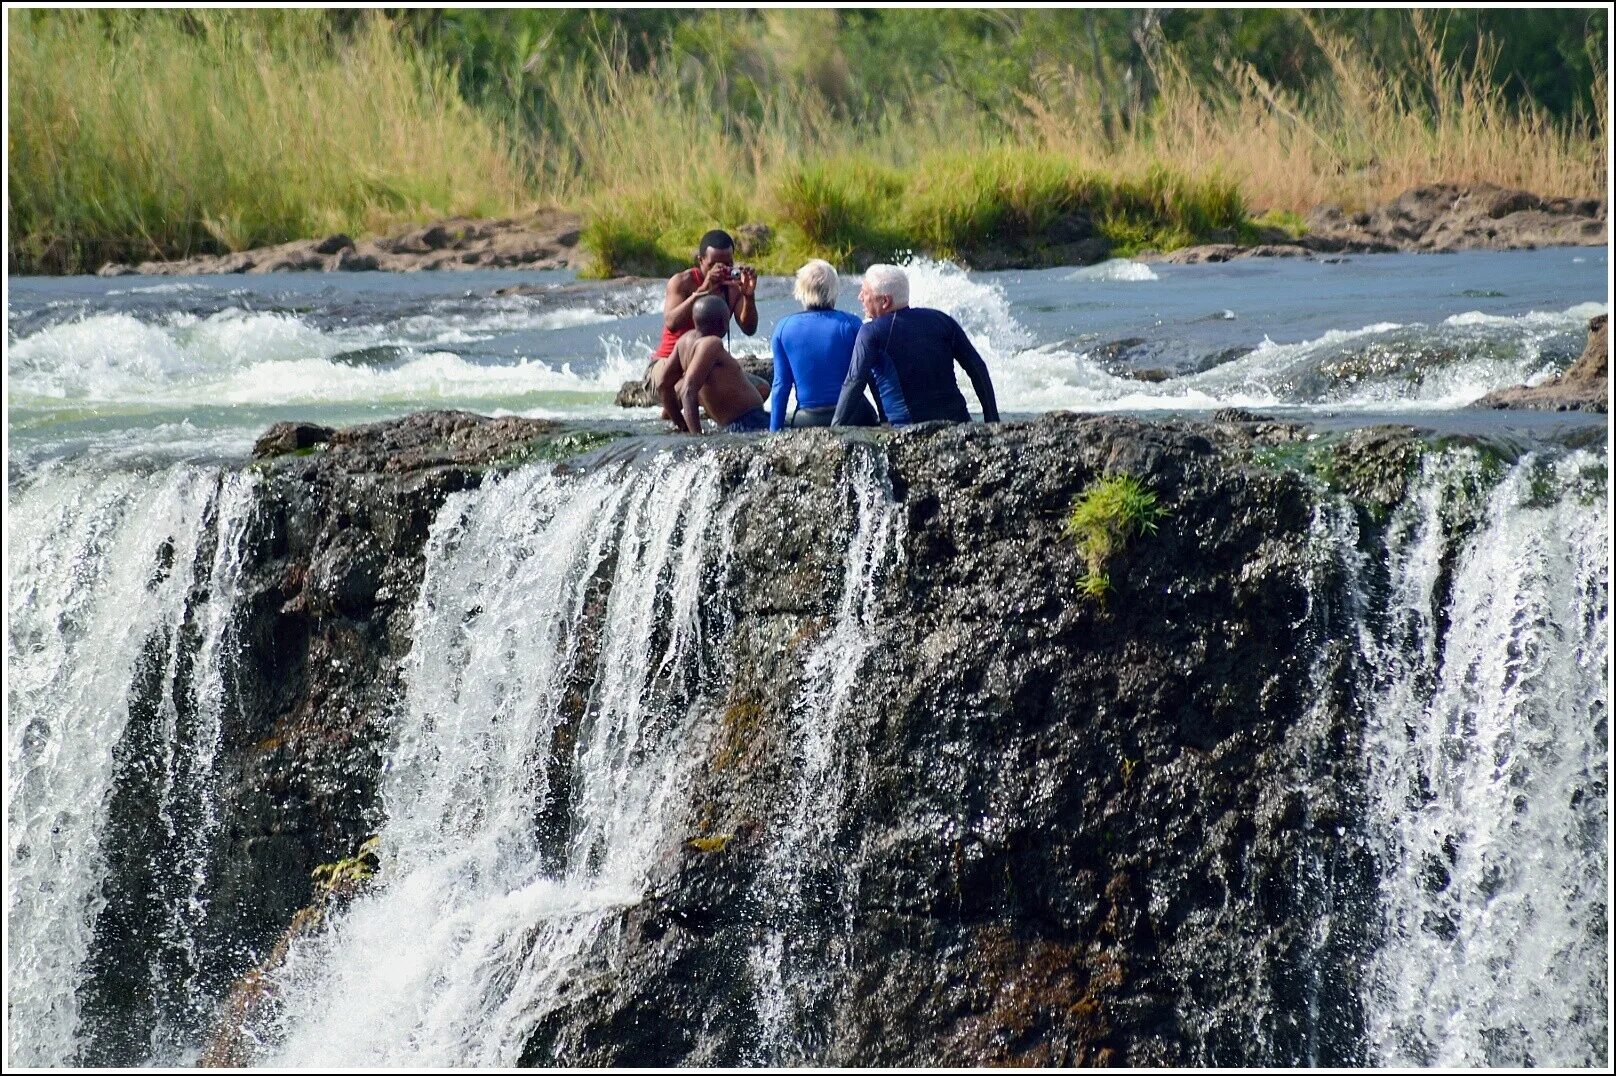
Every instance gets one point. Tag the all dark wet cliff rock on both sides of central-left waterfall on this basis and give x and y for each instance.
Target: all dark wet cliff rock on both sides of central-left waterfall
(1075, 834)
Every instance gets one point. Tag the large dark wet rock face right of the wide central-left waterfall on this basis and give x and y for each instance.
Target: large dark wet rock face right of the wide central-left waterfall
(1075, 839)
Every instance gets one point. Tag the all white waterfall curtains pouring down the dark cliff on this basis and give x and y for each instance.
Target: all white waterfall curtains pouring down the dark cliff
(570, 652)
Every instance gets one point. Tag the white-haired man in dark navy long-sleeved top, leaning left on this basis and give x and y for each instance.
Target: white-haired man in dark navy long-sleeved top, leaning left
(909, 353)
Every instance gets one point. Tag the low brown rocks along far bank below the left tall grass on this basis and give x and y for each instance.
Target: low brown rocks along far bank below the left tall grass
(461, 243)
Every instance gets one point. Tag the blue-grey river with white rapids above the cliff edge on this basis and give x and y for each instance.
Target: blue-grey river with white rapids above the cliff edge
(198, 368)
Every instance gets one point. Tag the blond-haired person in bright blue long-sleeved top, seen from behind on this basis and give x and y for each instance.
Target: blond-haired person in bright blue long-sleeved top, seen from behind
(812, 355)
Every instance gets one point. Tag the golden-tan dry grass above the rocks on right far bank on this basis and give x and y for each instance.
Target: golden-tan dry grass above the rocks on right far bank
(1360, 137)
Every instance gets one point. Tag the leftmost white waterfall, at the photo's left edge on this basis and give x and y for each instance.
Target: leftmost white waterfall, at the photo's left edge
(122, 633)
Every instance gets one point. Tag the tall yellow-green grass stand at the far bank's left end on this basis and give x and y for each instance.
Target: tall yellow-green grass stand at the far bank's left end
(180, 133)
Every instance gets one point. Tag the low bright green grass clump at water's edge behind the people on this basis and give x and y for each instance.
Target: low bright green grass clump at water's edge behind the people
(852, 211)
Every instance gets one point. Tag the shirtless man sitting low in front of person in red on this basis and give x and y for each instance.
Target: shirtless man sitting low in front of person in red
(710, 379)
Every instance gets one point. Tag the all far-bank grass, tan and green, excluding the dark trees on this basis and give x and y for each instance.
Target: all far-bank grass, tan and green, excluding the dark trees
(167, 135)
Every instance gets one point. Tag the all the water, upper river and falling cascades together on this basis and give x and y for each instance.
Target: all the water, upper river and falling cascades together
(1481, 629)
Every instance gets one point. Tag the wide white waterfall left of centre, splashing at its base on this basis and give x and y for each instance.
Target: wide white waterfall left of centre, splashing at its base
(537, 763)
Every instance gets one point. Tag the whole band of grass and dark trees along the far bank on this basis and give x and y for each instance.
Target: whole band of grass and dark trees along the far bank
(851, 135)
